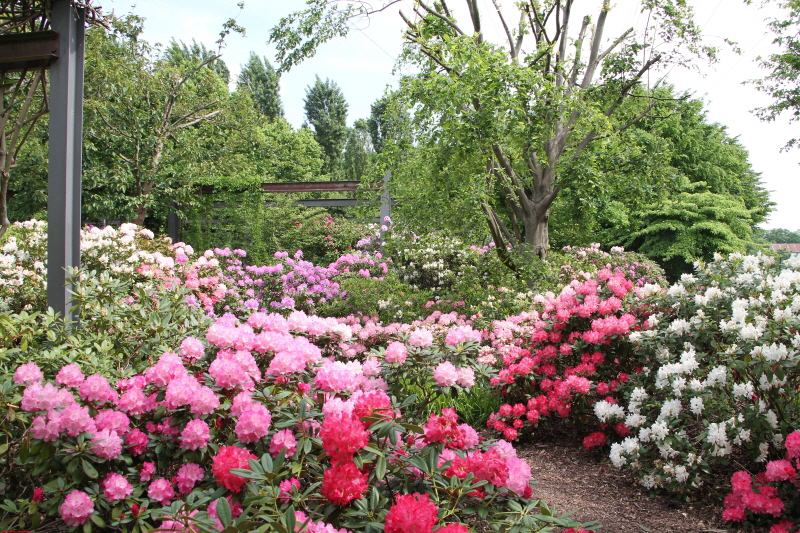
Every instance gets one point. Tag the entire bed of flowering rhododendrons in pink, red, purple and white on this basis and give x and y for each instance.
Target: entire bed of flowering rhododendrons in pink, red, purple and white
(387, 390)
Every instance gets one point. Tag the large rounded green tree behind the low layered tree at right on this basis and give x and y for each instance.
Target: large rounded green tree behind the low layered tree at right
(661, 152)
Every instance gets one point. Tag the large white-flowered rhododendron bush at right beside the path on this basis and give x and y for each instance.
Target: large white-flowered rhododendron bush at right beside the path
(737, 312)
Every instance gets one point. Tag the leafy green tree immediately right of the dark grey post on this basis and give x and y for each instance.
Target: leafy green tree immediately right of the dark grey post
(144, 122)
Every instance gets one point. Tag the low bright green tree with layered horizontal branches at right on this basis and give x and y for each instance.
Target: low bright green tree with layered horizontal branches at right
(695, 225)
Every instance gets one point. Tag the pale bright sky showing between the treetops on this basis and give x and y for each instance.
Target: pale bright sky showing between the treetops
(363, 66)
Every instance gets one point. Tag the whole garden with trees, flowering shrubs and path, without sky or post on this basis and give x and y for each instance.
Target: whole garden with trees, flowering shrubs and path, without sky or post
(471, 360)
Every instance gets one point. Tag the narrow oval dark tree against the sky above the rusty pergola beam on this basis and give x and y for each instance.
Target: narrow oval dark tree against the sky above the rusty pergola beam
(326, 112)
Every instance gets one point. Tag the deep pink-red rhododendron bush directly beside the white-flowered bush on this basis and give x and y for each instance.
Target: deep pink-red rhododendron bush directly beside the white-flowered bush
(558, 352)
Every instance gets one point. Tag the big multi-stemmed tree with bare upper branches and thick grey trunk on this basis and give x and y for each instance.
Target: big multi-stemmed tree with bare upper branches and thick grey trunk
(516, 117)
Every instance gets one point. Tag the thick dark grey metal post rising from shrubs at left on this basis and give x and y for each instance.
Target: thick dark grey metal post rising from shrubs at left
(66, 140)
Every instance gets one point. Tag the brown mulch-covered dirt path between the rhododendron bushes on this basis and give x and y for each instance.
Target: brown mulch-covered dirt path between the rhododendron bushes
(572, 479)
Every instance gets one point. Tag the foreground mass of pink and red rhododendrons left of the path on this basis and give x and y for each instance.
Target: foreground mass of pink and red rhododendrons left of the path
(255, 425)
